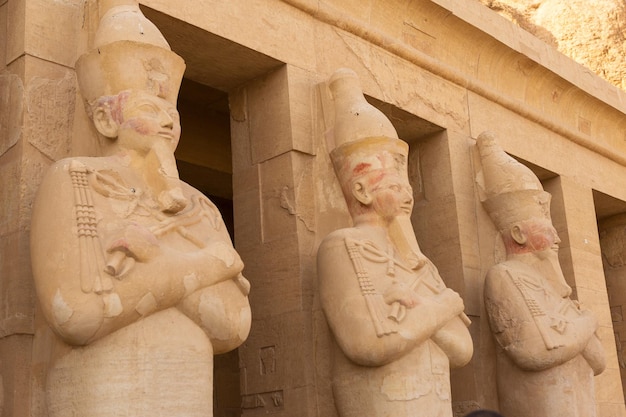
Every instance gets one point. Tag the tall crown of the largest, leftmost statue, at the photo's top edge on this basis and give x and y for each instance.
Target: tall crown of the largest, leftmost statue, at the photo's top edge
(129, 53)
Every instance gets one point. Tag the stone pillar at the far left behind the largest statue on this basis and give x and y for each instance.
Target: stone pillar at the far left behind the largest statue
(37, 99)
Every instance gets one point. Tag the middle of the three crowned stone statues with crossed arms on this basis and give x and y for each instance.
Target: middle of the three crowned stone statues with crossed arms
(397, 328)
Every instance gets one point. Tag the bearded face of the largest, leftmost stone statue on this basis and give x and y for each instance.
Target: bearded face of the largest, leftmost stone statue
(148, 121)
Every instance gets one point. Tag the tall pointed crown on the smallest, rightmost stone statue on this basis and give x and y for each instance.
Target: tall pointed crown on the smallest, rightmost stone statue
(510, 191)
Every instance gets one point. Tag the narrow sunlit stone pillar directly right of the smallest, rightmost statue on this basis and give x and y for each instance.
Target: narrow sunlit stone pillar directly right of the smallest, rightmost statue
(573, 215)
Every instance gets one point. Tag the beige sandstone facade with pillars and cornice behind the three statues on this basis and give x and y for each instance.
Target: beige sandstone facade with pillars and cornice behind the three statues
(442, 70)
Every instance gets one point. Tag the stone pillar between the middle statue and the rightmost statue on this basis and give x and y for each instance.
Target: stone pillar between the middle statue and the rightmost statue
(445, 225)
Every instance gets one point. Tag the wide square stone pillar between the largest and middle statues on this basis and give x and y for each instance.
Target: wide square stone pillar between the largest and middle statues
(273, 198)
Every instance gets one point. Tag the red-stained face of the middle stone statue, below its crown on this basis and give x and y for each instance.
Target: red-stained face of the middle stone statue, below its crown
(392, 196)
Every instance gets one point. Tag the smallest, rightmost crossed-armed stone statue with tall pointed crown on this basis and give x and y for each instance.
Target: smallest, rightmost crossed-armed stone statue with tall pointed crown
(547, 349)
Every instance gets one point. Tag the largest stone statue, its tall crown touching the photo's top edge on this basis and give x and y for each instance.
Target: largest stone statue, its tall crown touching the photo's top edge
(134, 269)
